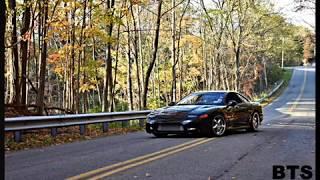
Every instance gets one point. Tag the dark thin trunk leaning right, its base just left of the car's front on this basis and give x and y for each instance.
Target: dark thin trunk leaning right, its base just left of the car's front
(154, 56)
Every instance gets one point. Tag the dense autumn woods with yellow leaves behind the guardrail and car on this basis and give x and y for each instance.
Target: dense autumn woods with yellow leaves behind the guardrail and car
(110, 55)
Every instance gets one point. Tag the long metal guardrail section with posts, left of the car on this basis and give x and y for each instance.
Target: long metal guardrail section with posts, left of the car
(18, 124)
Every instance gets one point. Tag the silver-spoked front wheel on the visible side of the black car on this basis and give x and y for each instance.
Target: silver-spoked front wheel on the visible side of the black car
(218, 126)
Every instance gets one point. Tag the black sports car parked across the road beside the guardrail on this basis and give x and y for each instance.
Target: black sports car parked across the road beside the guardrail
(210, 113)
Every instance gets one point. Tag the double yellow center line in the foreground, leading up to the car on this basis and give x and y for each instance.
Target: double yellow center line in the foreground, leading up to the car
(121, 166)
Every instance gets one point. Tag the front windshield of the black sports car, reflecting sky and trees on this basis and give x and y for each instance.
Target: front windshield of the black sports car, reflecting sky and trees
(203, 99)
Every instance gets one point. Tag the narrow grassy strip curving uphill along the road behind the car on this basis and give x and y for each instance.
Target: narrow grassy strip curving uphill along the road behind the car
(287, 74)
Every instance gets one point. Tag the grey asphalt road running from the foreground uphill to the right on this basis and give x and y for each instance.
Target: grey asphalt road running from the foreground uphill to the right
(286, 137)
